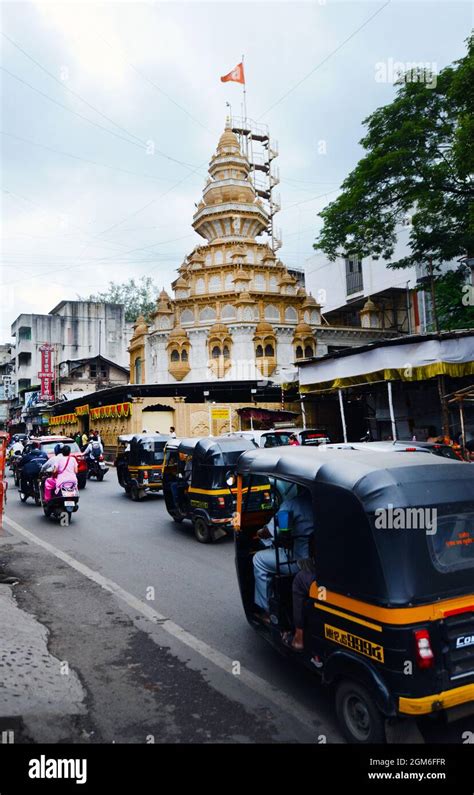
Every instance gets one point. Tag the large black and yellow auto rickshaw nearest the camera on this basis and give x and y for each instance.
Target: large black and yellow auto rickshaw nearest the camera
(388, 614)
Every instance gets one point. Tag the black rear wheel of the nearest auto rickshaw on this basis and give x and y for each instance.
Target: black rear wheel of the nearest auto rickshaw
(360, 719)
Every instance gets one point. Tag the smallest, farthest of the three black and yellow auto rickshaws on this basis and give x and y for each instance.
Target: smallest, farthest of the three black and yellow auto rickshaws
(139, 463)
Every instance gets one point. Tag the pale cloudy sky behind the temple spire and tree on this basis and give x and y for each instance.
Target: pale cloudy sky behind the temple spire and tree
(111, 112)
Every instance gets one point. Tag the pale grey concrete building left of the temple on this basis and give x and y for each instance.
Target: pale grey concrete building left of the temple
(76, 329)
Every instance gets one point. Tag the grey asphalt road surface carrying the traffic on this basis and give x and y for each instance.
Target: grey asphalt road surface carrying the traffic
(152, 586)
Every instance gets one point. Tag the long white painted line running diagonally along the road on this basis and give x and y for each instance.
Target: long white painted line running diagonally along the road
(251, 680)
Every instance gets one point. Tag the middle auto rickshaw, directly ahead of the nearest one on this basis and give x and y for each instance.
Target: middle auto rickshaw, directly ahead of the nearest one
(199, 484)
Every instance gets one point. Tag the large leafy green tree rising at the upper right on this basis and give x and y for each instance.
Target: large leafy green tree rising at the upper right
(418, 164)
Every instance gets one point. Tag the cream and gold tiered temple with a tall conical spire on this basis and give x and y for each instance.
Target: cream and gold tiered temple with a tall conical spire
(237, 313)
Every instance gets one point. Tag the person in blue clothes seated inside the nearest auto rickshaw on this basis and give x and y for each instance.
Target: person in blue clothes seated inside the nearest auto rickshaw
(300, 508)
